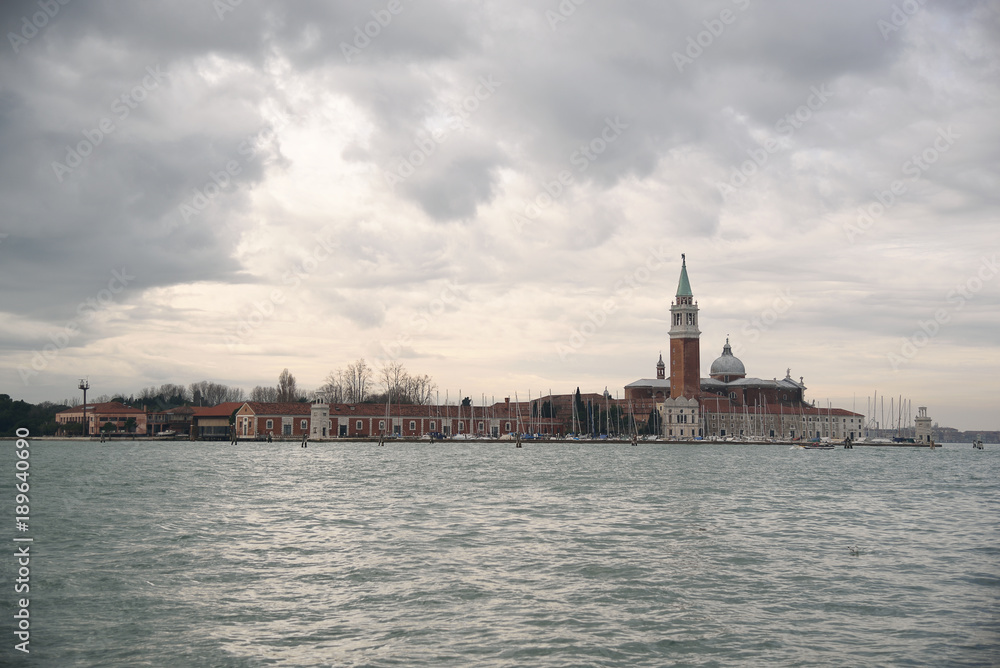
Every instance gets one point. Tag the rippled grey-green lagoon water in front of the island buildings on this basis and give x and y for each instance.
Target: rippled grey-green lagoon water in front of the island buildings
(206, 554)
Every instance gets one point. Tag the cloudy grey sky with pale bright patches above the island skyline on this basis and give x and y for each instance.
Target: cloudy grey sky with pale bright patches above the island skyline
(498, 194)
